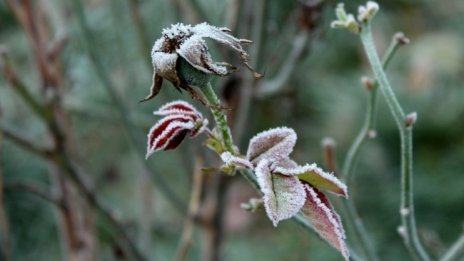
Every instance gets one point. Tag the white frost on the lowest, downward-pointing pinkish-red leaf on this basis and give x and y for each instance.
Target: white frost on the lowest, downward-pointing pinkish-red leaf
(333, 220)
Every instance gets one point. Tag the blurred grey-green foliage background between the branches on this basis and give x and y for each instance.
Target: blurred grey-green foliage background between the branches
(322, 98)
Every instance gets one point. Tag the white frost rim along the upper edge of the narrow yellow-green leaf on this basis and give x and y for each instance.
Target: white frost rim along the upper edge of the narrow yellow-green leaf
(313, 169)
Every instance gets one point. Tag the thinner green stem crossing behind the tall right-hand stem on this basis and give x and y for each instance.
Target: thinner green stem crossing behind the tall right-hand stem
(348, 165)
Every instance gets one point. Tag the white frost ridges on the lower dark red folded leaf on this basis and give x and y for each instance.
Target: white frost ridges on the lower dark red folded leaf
(152, 148)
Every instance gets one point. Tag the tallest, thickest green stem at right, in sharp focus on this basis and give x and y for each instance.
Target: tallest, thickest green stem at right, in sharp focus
(408, 228)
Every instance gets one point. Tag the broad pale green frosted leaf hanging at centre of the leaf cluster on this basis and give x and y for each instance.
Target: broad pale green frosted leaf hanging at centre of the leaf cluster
(283, 196)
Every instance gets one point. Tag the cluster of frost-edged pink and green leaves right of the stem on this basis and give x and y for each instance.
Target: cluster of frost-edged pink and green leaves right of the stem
(289, 188)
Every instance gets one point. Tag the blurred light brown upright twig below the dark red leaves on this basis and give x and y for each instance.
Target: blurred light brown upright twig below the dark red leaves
(194, 205)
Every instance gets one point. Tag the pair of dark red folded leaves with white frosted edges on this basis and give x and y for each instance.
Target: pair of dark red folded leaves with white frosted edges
(180, 119)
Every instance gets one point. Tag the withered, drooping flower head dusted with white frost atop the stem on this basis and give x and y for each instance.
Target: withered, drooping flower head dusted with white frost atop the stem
(186, 42)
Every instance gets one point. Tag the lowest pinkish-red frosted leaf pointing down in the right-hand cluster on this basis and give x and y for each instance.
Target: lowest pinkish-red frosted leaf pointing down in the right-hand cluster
(318, 210)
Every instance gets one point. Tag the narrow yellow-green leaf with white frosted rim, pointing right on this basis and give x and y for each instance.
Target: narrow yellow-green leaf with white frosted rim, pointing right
(315, 176)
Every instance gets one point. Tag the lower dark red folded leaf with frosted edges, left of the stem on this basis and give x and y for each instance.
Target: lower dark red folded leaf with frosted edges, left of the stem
(168, 133)
